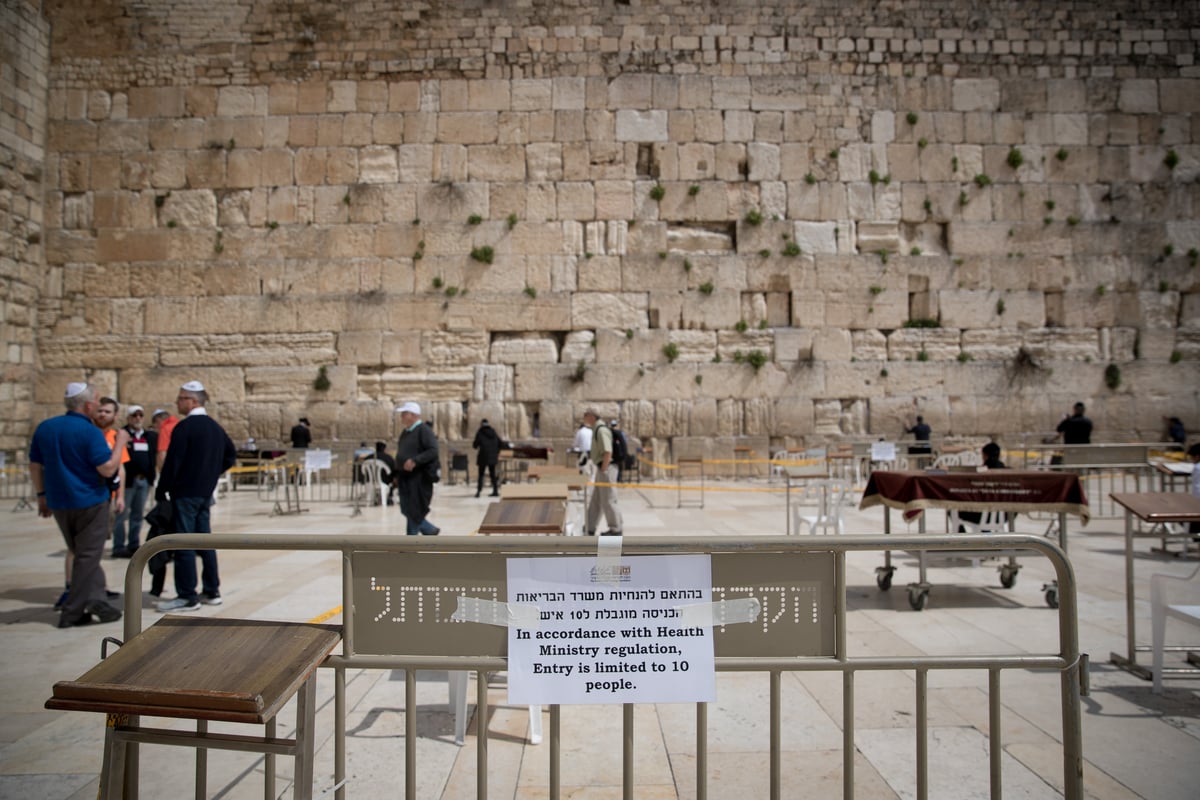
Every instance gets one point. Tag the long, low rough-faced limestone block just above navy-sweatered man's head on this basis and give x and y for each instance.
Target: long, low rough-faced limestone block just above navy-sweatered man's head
(241, 350)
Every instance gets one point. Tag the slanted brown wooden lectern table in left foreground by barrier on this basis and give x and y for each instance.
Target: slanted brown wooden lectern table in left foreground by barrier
(205, 669)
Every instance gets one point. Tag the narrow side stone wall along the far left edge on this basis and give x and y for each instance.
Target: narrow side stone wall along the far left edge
(25, 62)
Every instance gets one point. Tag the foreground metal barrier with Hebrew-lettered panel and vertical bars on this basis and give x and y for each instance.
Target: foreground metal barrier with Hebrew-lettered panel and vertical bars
(813, 564)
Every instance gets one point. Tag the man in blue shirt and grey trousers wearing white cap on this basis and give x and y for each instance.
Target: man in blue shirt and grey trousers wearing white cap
(69, 465)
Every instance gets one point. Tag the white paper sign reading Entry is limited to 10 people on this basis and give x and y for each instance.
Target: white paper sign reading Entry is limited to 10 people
(611, 633)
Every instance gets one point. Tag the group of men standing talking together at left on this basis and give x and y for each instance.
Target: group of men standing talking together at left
(77, 464)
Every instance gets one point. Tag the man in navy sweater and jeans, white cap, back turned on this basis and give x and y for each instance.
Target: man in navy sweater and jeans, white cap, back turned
(200, 453)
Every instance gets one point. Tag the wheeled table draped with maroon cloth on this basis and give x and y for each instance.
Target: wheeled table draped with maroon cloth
(1010, 490)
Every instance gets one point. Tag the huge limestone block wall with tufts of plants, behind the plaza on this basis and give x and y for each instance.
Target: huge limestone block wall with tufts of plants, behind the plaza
(713, 220)
